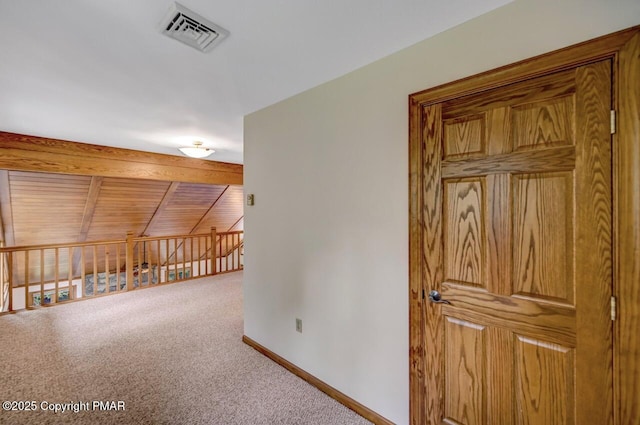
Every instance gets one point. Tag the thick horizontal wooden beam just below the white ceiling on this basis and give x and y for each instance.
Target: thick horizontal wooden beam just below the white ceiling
(30, 153)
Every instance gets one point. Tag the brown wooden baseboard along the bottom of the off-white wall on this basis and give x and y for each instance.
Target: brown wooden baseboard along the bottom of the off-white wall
(341, 398)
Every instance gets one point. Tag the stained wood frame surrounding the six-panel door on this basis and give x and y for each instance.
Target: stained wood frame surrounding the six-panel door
(623, 49)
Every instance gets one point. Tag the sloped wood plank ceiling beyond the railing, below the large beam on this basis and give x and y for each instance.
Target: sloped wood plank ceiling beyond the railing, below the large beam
(42, 208)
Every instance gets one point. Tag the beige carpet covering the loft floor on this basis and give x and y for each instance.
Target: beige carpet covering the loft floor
(172, 354)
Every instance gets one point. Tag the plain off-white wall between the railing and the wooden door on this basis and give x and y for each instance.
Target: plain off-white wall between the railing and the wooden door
(327, 239)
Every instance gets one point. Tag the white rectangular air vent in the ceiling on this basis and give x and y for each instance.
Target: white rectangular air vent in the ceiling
(192, 29)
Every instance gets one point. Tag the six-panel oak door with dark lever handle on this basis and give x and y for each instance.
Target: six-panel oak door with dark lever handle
(516, 235)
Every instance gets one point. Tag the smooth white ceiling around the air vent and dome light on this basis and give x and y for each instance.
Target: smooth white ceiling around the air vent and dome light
(100, 71)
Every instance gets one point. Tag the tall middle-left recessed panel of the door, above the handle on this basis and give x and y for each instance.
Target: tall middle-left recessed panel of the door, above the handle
(464, 233)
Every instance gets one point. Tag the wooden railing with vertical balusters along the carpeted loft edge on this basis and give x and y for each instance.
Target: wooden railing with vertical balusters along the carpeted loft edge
(41, 275)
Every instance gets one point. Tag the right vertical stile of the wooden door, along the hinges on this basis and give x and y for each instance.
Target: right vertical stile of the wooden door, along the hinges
(594, 244)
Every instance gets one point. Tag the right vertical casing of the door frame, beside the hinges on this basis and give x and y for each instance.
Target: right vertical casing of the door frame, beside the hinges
(627, 233)
